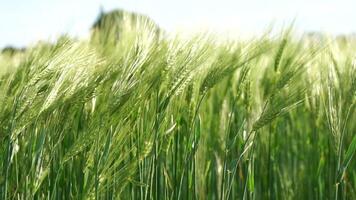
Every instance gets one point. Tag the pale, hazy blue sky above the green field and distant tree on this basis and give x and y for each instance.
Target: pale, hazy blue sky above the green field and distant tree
(23, 22)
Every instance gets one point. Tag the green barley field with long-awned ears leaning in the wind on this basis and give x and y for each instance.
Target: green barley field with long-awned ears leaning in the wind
(148, 115)
